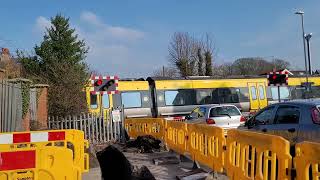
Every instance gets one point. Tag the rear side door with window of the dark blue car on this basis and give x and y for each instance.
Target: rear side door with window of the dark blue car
(286, 122)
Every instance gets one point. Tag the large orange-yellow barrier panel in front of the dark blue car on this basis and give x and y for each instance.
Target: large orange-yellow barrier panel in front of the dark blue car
(253, 155)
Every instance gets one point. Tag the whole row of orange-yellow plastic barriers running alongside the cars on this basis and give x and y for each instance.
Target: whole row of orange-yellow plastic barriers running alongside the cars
(241, 154)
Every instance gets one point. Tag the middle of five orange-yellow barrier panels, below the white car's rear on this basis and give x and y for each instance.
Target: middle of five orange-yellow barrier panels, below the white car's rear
(206, 145)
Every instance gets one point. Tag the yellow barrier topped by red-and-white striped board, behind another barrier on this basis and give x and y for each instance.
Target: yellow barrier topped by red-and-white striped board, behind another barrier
(72, 139)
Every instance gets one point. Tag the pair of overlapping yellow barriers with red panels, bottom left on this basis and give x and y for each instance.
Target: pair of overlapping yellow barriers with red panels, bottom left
(43, 155)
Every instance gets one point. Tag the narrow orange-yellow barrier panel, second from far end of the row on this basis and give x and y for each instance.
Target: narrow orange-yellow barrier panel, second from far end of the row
(176, 136)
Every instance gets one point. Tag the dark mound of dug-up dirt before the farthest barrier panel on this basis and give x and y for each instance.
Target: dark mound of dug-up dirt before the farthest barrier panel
(145, 144)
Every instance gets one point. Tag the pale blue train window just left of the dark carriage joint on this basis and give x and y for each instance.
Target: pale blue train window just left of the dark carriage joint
(131, 99)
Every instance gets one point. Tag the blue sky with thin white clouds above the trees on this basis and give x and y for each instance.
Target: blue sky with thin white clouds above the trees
(130, 38)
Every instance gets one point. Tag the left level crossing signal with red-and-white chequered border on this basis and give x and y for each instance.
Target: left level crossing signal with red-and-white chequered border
(104, 84)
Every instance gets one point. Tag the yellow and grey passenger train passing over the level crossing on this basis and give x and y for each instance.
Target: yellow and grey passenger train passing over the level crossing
(156, 97)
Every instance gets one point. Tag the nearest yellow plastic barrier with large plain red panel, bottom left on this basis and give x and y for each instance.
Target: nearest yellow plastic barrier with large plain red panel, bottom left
(39, 163)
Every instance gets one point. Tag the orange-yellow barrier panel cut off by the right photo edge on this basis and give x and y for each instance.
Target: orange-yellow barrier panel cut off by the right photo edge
(307, 157)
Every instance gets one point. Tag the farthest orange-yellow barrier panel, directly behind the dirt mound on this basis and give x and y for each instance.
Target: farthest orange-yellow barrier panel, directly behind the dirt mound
(145, 126)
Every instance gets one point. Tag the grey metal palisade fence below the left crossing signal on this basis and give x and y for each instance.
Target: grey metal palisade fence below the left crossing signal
(97, 128)
